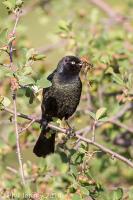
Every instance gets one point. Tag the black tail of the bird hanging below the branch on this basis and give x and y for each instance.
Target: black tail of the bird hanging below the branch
(44, 145)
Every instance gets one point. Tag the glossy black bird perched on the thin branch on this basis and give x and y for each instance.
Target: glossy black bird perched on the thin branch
(60, 100)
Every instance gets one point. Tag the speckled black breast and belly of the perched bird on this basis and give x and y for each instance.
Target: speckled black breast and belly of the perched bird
(61, 99)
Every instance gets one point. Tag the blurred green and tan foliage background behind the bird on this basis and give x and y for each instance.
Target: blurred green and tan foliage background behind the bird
(102, 31)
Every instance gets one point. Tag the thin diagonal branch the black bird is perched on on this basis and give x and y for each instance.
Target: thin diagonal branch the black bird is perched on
(77, 134)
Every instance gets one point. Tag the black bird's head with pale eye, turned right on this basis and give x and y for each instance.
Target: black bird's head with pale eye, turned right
(70, 65)
